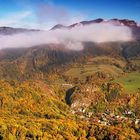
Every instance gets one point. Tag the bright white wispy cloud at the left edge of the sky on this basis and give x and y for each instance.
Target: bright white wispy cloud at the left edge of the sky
(14, 18)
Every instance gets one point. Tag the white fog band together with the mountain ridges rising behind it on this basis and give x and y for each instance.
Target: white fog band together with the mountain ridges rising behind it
(97, 31)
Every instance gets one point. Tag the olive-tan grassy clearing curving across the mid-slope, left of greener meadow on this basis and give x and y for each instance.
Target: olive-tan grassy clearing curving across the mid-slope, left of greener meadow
(108, 65)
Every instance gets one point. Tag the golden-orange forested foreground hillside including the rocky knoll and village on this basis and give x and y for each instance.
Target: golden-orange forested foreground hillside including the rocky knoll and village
(36, 110)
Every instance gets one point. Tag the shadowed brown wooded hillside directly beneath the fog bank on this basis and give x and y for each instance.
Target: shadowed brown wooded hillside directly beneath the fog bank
(37, 62)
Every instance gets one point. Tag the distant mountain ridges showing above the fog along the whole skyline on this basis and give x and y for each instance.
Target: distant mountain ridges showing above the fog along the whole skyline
(117, 22)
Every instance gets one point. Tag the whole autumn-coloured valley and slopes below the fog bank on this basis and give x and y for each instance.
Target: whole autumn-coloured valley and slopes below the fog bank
(51, 93)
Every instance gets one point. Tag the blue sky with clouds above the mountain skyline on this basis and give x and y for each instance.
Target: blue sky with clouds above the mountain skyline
(44, 14)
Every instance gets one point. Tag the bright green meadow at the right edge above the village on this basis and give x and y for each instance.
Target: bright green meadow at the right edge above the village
(131, 81)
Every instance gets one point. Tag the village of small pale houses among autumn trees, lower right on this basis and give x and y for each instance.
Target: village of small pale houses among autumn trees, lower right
(108, 118)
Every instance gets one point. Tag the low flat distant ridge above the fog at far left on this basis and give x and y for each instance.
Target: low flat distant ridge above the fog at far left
(10, 30)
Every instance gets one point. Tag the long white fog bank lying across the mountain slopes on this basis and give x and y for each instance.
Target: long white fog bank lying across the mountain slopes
(70, 38)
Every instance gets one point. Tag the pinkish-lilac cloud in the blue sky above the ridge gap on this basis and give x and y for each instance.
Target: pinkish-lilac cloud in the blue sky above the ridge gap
(49, 13)
